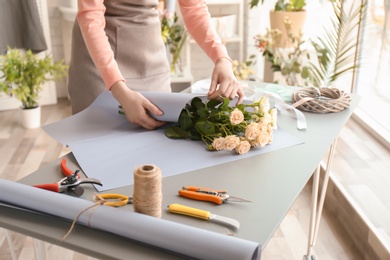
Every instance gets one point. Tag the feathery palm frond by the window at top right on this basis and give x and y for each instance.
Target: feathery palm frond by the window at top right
(337, 47)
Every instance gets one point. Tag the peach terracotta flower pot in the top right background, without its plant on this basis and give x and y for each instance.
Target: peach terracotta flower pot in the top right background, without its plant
(277, 22)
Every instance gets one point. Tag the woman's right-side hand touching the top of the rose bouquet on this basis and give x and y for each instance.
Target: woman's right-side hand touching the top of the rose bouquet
(228, 84)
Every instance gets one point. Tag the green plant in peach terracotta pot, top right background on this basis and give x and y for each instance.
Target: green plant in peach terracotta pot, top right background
(291, 10)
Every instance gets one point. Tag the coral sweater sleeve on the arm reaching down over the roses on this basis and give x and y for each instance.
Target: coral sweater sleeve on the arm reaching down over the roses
(197, 20)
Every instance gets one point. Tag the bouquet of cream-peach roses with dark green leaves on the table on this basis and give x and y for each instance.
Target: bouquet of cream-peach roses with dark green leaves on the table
(222, 127)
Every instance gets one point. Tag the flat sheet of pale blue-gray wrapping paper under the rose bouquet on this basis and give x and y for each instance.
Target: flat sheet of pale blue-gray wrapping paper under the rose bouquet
(109, 148)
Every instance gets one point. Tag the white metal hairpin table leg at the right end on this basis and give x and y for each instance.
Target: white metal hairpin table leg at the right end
(317, 206)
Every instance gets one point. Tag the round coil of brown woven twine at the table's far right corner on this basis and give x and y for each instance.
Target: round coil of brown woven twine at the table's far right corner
(321, 100)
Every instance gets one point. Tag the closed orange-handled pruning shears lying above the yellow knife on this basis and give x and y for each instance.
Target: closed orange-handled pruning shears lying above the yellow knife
(207, 194)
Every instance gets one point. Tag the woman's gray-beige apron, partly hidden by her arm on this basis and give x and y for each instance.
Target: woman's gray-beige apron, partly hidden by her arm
(134, 32)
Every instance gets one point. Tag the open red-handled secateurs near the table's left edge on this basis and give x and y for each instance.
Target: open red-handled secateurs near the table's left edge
(70, 183)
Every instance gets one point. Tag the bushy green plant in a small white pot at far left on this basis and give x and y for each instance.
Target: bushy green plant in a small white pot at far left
(23, 74)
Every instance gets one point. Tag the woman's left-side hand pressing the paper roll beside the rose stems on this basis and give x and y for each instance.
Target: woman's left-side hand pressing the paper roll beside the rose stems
(136, 106)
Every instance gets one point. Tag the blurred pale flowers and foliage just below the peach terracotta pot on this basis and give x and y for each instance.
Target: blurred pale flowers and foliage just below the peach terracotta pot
(291, 62)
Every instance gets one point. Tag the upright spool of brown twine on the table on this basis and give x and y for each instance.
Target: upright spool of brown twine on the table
(147, 196)
